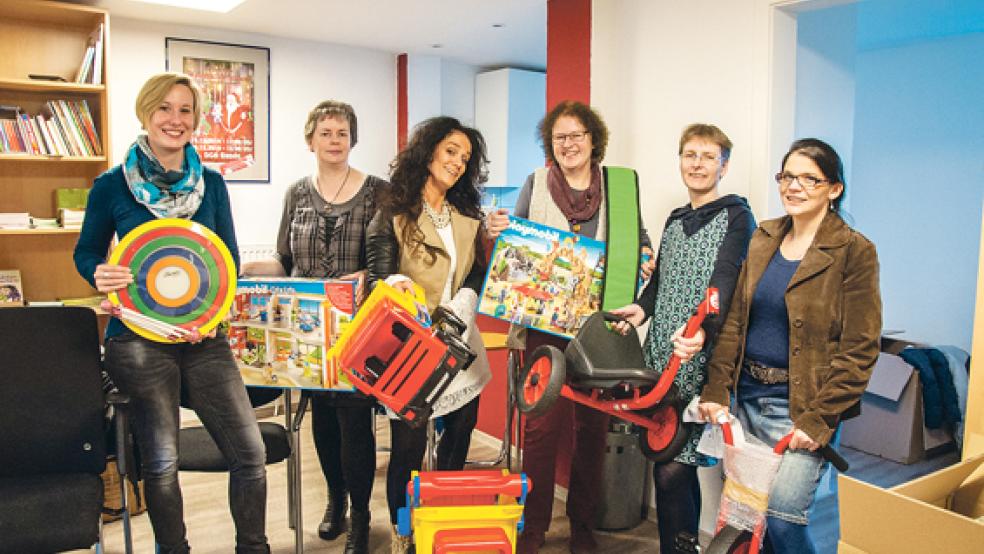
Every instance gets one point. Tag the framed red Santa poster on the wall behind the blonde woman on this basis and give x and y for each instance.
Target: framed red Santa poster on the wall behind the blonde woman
(234, 134)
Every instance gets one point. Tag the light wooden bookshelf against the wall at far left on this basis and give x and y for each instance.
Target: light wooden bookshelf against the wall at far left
(47, 38)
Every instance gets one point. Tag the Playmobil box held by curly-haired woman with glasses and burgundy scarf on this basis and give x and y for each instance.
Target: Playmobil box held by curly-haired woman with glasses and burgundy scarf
(543, 278)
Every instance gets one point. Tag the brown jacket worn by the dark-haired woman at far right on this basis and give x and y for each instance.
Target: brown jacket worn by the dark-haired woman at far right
(834, 307)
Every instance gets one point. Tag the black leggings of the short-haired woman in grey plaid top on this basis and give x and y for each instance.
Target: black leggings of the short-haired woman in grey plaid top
(346, 448)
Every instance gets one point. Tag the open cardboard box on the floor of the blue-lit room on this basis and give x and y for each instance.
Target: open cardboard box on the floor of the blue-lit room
(891, 420)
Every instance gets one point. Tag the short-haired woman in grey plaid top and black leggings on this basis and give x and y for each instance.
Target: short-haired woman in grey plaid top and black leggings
(322, 235)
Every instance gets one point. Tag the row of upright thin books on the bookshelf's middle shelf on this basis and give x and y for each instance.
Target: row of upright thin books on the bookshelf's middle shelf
(66, 129)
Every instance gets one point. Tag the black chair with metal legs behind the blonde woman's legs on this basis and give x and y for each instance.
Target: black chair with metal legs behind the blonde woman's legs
(198, 452)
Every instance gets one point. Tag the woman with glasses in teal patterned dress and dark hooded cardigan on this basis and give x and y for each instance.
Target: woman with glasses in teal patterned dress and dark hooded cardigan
(703, 245)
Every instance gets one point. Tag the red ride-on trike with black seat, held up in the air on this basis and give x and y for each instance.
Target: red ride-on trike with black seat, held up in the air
(605, 370)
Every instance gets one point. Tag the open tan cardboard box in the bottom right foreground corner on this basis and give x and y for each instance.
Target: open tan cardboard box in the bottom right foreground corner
(935, 513)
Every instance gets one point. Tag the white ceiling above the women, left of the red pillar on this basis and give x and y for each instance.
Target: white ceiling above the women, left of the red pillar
(463, 28)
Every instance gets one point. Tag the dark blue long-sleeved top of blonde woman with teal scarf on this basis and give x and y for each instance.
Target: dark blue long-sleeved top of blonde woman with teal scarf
(112, 209)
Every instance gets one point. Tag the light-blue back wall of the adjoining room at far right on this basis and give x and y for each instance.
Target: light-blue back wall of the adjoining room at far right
(918, 182)
